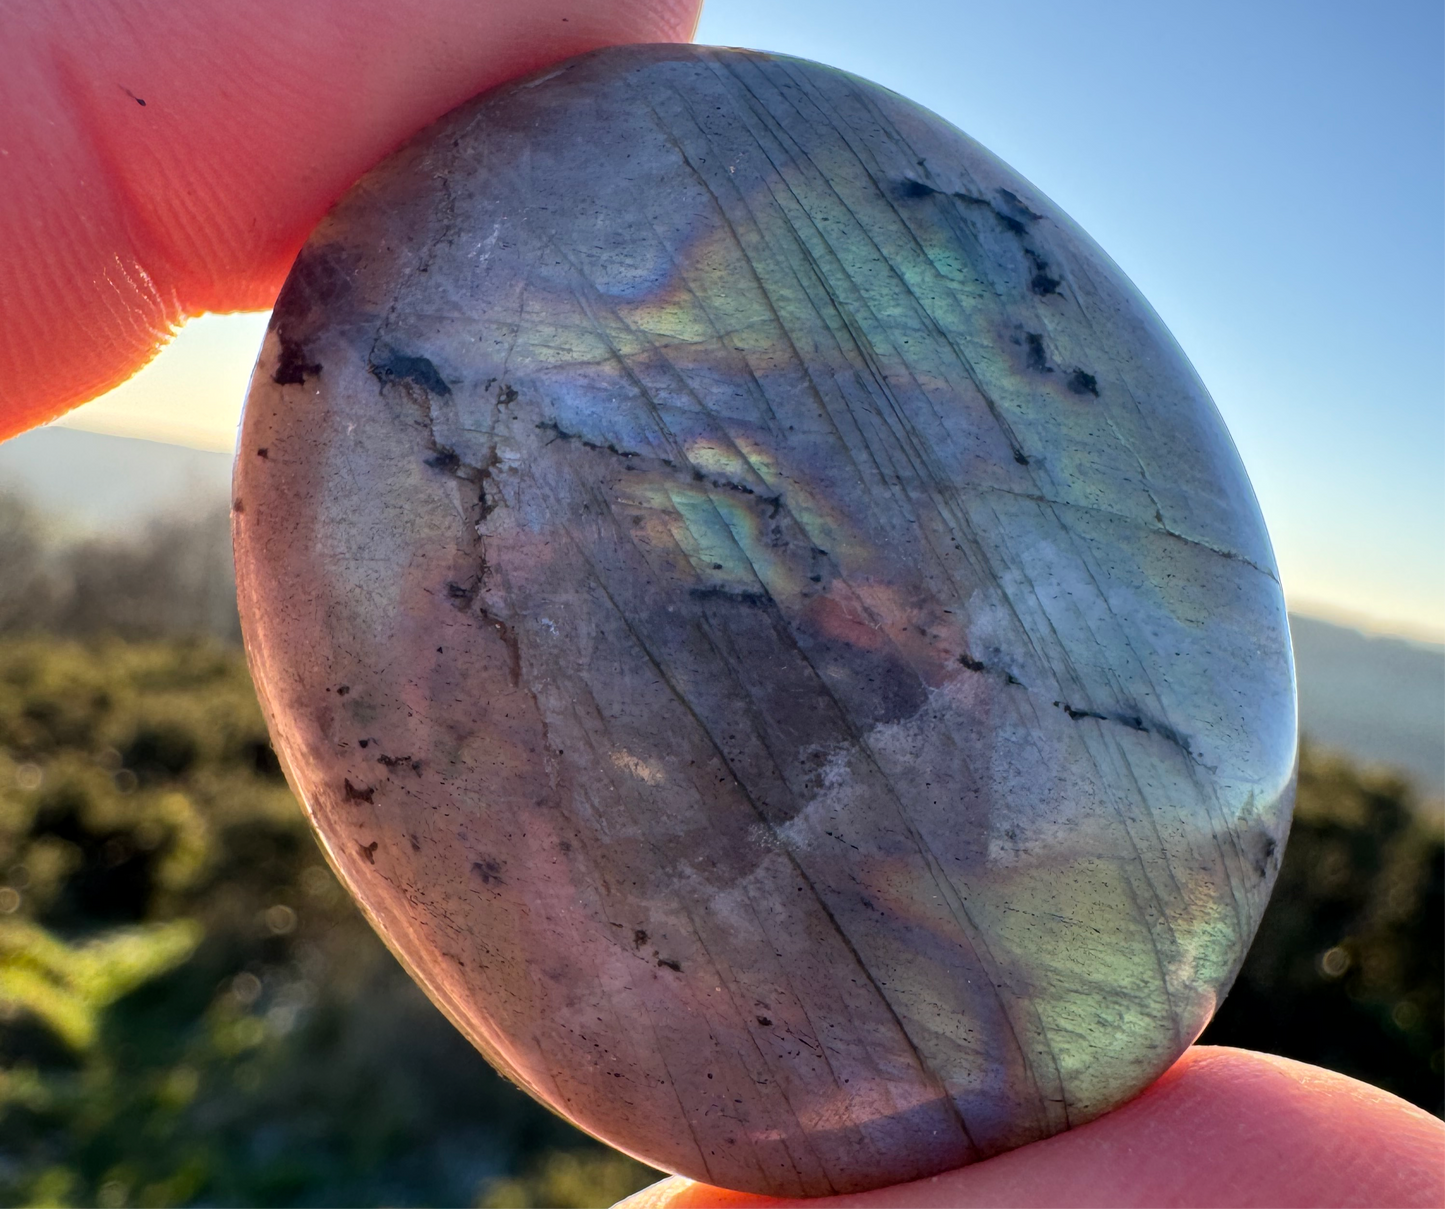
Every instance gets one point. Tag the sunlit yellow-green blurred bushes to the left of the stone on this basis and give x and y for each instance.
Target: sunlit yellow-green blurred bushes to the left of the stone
(191, 1009)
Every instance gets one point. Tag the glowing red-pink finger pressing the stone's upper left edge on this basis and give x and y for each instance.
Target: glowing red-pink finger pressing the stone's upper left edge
(161, 160)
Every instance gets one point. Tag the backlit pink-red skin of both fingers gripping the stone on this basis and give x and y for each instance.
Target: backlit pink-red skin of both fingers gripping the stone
(121, 219)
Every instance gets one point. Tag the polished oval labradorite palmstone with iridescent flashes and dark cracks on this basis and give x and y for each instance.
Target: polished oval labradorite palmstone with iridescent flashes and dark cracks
(767, 620)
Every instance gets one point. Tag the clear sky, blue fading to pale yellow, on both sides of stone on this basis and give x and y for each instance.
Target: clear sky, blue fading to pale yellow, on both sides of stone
(1271, 174)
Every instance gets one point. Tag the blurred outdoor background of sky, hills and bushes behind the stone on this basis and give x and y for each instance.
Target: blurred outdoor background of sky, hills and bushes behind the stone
(194, 1015)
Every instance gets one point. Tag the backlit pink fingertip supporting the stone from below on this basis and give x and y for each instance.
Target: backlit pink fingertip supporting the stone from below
(1223, 1130)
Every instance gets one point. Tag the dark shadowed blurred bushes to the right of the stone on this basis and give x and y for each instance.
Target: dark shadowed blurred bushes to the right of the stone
(1349, 968)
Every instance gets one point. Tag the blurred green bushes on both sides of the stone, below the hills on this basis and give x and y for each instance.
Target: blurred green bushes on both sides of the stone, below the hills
(194, 1015)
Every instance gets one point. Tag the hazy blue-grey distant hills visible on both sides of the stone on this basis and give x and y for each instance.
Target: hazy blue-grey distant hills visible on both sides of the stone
(1379, 700)
